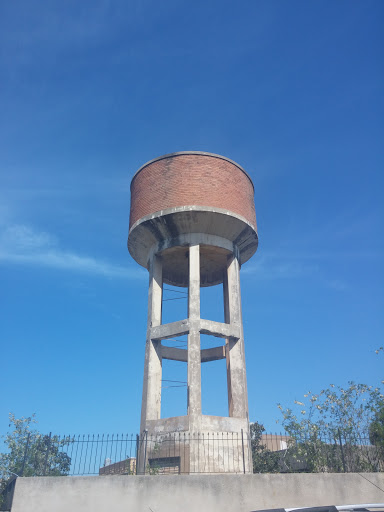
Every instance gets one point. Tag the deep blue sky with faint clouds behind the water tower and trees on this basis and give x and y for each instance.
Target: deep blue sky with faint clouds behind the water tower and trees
(90, 91)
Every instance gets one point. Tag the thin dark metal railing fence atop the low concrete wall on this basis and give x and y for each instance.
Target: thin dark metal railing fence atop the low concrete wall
(224, 452)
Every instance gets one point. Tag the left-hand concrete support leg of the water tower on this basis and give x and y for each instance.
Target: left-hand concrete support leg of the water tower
(151, 404)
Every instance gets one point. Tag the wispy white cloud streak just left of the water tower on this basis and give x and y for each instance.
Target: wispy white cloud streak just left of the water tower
(23, 245)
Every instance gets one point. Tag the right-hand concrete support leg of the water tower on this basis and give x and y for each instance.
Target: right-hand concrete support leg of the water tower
(236, 375)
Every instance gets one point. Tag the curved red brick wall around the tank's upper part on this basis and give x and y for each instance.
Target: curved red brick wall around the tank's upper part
(186, 180)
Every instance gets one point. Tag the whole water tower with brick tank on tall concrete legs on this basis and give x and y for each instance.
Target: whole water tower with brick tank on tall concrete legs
(192, 225)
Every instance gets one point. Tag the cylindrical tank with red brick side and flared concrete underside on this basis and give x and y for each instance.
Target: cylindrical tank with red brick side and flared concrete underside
(188, 192)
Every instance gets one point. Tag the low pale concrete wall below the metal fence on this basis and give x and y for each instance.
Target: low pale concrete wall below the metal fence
(200, 493)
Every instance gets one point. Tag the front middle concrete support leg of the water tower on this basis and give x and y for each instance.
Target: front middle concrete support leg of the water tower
(194, 359)
